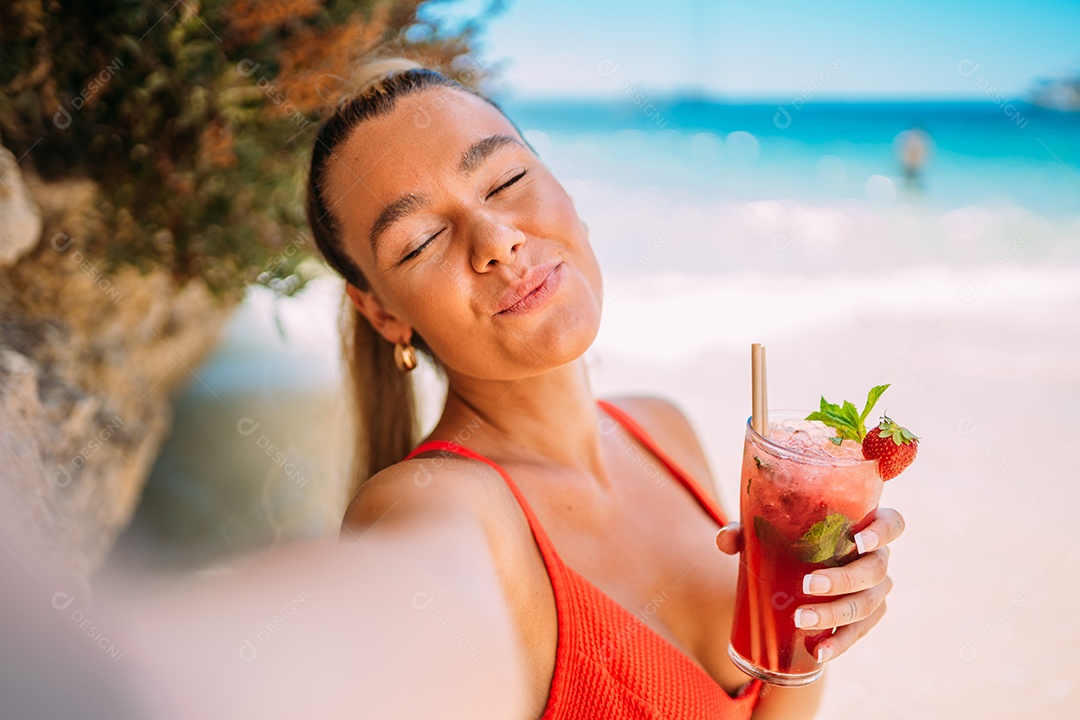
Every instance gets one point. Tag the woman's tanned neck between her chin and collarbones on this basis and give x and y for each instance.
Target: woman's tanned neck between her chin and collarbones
(551, 417)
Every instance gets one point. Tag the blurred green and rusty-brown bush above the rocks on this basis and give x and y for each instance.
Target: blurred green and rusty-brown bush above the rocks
(197, 119)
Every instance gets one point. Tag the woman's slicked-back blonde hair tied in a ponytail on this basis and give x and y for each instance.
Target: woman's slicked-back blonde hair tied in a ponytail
(386, 414)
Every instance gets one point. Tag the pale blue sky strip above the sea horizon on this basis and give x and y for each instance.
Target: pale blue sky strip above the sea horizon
(777, 50)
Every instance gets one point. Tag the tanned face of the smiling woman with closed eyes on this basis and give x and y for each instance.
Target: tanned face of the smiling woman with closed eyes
(465, 237)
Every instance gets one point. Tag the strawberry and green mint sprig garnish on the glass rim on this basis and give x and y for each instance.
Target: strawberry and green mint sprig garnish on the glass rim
(893, 446)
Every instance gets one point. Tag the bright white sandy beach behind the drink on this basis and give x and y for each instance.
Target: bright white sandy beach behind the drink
(980, 622)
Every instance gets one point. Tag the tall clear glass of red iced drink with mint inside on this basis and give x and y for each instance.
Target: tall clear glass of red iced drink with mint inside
(803, 498)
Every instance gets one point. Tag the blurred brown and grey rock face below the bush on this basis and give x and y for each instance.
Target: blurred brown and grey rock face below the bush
(89, 361)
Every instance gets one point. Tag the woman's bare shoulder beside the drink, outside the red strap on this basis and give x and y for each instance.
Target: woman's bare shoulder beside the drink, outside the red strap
(666, 424)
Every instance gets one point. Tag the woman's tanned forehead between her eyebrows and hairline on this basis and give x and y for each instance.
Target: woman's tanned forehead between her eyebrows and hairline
(407, 151)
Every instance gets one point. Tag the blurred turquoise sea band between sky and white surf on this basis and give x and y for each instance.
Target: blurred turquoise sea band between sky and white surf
(982, 153)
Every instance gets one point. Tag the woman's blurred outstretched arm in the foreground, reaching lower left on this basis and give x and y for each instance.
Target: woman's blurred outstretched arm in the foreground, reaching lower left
(402, 617)
